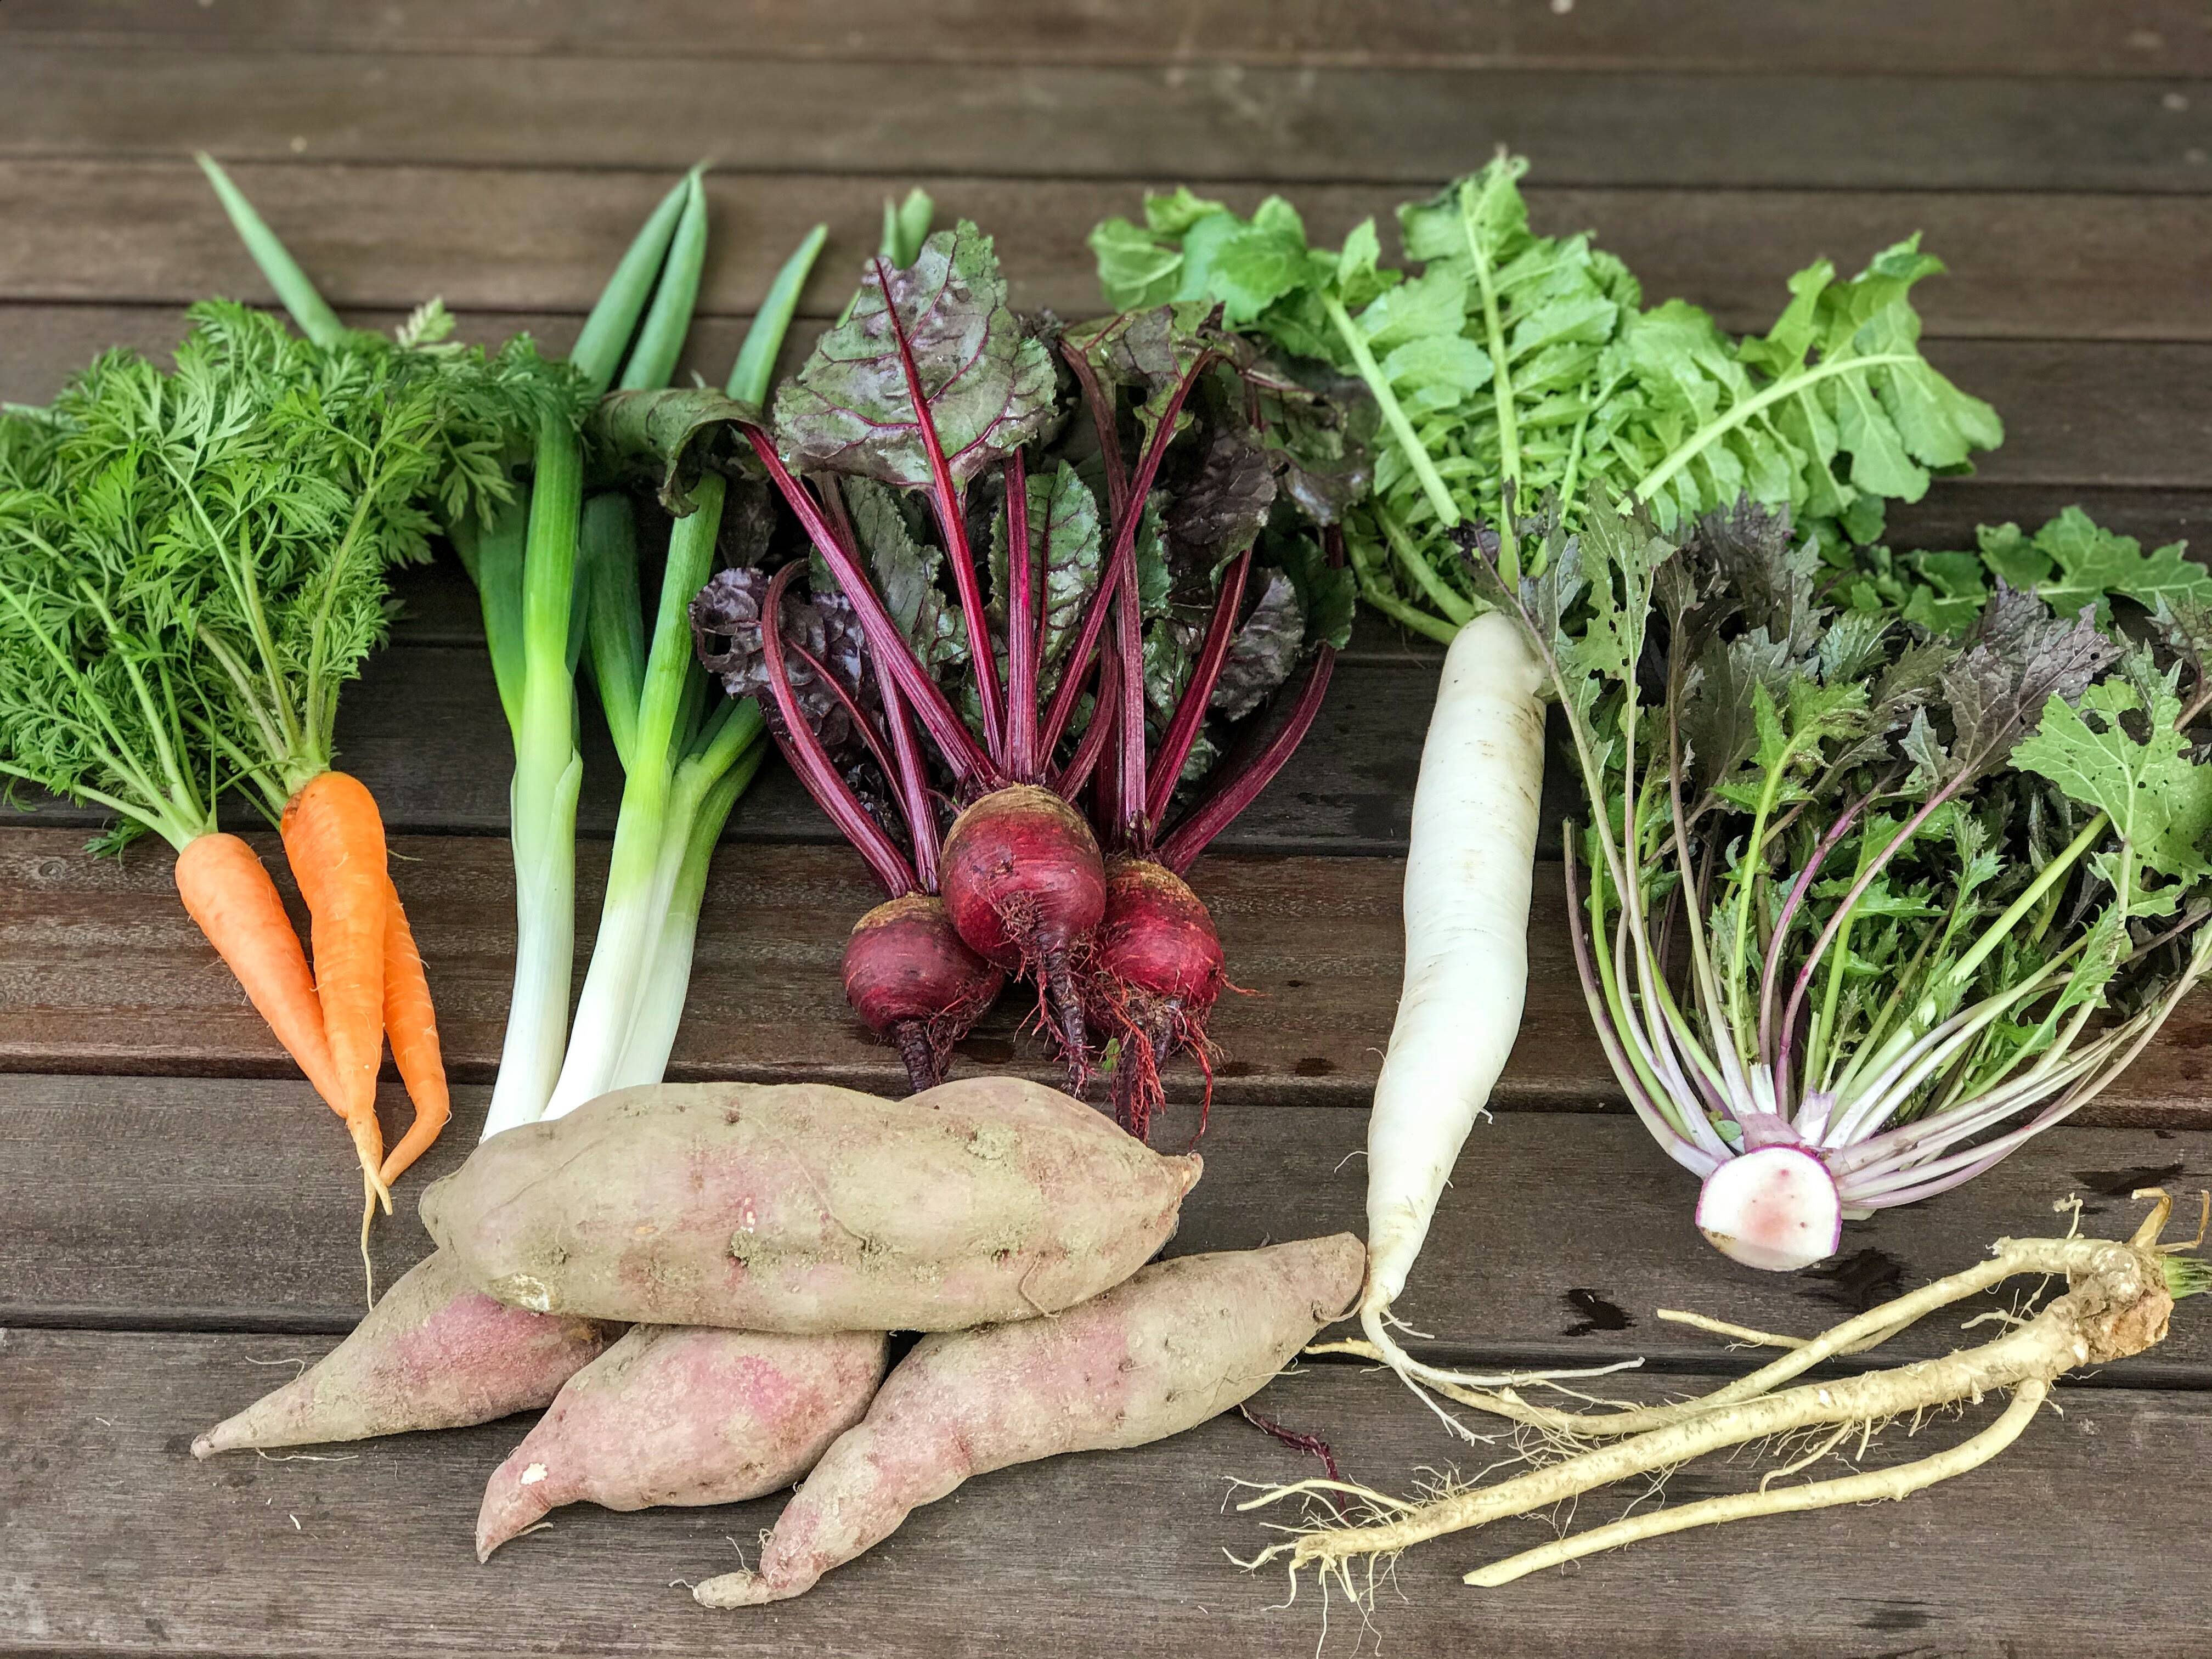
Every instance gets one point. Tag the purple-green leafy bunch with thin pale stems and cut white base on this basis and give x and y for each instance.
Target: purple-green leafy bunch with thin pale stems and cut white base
(1934, 893)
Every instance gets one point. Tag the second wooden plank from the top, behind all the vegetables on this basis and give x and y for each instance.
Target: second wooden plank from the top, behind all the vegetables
(1050, 121)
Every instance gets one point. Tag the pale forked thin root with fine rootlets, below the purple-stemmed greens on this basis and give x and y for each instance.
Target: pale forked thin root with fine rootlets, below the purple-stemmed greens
(2116, 1304)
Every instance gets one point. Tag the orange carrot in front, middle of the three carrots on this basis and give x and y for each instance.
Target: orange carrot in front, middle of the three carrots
(335, 842)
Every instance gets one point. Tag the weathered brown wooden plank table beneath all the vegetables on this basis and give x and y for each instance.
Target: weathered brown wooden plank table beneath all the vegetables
(176, 1215)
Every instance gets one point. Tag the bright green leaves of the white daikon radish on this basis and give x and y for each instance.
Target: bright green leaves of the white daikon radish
(1516, 368)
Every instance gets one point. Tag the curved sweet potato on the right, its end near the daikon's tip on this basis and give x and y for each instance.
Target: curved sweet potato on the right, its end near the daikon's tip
(1176, 1346)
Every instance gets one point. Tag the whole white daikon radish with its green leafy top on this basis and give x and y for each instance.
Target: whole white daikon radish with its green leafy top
(1519, 368)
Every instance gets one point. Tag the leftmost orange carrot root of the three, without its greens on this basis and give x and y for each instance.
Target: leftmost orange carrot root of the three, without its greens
(229, 893)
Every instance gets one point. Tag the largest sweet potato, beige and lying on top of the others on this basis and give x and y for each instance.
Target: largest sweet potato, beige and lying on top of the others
(811, 1209)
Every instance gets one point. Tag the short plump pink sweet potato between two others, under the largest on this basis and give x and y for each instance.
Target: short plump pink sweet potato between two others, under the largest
(685, 1415)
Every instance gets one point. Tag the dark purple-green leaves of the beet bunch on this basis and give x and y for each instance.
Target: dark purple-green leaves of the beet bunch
(1251, 466)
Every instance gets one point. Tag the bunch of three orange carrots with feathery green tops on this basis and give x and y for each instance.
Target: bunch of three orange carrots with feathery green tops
(191, 567)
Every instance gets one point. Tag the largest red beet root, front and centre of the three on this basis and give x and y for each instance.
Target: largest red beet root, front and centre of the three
(1025, 886)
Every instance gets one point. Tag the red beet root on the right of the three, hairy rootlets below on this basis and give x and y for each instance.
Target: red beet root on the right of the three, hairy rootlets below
(1156, 977)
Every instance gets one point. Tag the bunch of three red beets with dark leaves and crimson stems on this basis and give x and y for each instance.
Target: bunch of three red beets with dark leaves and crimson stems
(1156, 474)
